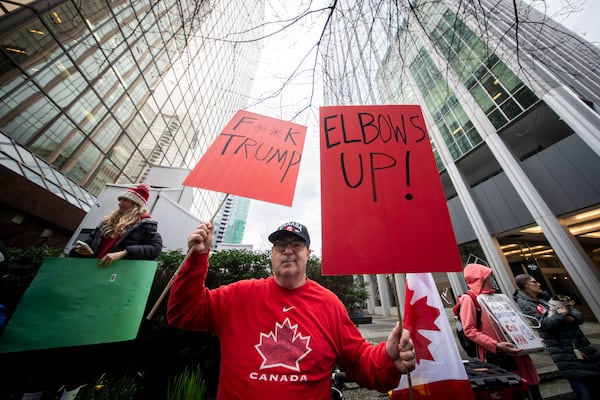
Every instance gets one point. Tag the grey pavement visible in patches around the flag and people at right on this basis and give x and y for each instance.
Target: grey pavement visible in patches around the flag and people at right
(552, 387)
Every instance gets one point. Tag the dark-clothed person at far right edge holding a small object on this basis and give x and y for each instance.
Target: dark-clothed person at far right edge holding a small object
(559, 325)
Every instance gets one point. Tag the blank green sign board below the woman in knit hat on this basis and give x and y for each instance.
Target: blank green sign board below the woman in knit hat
(73, 302)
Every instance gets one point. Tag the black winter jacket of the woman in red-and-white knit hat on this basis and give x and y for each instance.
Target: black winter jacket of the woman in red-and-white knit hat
(142, 241)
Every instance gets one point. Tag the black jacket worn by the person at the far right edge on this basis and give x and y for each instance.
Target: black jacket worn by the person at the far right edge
(562, 335)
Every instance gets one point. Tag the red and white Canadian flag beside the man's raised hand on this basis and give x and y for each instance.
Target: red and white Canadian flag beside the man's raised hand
(440, 373)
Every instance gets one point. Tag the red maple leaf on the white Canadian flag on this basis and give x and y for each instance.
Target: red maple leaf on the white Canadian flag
(420, 316)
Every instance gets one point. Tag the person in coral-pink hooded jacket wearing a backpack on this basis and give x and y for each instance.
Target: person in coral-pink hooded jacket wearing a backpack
(490, 347)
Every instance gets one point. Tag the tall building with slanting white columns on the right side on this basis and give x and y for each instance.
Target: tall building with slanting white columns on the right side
(513, 117)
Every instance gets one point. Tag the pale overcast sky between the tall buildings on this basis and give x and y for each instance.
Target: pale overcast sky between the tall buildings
(281, 58)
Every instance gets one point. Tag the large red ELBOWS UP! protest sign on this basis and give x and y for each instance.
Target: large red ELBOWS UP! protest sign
(382, 203)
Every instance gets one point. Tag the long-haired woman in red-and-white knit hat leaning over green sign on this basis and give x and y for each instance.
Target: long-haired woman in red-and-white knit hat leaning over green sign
(126, 232)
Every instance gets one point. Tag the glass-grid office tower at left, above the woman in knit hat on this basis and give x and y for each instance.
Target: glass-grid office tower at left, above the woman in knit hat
(97, 92)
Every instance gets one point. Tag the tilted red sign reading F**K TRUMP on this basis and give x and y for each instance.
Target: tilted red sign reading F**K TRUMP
(254, 156)
